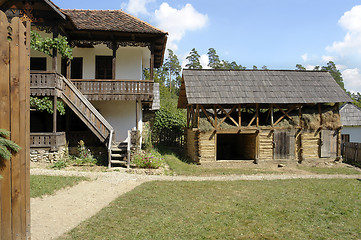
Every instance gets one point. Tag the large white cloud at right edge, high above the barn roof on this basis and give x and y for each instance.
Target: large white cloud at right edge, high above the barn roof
(351, 44)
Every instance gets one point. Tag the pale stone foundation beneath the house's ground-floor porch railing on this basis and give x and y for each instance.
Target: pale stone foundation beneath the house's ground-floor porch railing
(44, 155)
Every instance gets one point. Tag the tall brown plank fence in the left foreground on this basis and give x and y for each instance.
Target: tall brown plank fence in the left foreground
(15, 116)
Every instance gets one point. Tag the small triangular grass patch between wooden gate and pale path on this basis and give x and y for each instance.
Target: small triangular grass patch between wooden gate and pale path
(41, 185)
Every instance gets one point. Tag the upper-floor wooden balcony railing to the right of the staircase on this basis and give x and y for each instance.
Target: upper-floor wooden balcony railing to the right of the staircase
(104, 89)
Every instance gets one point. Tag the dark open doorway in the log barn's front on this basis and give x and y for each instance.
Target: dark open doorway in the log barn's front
(236, 146)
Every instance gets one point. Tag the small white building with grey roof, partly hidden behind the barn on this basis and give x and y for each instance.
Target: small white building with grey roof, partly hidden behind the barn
(351, 123)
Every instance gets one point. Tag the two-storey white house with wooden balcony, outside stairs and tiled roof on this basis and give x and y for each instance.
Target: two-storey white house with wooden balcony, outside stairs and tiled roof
(103, 86)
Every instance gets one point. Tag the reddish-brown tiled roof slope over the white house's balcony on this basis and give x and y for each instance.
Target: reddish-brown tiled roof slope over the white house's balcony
(109, 20)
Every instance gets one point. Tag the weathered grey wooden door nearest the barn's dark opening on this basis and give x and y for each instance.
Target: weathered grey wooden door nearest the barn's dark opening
(284, 144)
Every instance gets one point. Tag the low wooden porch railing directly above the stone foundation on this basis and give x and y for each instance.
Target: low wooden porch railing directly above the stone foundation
(47, 140)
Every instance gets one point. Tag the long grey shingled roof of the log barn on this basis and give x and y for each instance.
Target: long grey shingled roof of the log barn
(210, 86)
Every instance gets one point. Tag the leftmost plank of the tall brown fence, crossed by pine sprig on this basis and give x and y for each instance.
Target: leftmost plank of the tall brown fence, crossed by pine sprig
(5, 194)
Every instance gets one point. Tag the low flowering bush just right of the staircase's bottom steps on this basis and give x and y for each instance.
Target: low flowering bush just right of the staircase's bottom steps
(150, 159)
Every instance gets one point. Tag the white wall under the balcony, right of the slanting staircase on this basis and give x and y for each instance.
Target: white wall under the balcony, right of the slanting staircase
(121, 115)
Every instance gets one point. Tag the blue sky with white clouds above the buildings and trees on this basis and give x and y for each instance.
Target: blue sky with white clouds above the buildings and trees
(275, 33)
